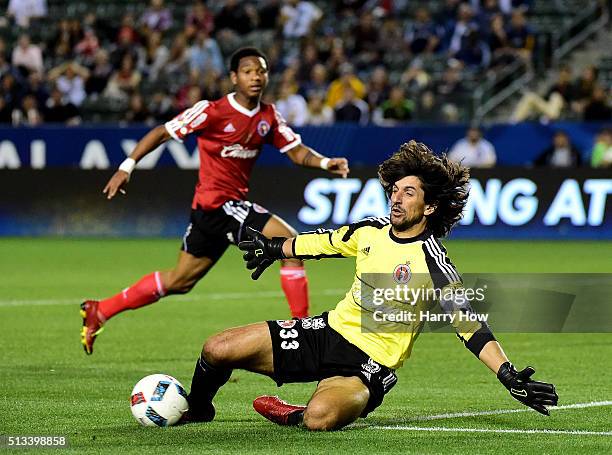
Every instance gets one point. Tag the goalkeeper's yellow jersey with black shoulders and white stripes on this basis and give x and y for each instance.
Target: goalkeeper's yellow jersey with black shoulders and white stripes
(418, 262)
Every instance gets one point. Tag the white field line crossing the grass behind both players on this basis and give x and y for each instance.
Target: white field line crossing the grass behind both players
(179, 298)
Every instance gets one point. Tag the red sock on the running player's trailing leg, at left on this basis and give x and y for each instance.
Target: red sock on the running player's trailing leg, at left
(148, 290)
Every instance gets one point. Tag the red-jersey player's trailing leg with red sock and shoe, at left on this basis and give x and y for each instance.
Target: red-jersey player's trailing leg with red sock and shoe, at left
(150, 288)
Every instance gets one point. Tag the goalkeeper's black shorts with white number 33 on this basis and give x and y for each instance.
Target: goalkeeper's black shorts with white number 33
(309, 349)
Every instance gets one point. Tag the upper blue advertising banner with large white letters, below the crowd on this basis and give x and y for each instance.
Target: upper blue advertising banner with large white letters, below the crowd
(105, 147)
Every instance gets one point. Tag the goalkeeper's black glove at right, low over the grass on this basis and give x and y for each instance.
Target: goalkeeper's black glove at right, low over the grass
(535, 394)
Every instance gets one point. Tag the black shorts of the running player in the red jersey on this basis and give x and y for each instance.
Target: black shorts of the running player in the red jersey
(210, 232)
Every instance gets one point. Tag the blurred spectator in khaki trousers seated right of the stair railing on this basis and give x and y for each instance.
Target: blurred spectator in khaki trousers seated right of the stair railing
(550, 106)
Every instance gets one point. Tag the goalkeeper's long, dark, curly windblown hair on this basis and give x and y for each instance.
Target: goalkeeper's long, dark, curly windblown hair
(445, 183)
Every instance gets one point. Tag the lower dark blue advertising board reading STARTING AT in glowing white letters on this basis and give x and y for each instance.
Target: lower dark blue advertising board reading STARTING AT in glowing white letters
(510, 203)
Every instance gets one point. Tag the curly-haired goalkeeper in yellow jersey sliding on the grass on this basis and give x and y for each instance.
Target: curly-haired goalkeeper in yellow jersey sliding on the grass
(353, 359)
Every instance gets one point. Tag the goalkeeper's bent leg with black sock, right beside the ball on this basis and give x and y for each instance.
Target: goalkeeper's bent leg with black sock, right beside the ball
(247, 347)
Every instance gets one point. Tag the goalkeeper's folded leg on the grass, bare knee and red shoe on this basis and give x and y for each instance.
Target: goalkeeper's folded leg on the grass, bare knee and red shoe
(337, 402)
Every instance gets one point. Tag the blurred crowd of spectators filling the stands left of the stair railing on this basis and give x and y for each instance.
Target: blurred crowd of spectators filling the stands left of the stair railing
(362, 61)
